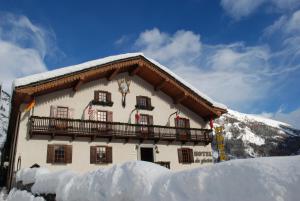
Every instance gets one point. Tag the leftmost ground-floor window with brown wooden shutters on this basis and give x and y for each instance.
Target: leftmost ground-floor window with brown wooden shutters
(59, 154)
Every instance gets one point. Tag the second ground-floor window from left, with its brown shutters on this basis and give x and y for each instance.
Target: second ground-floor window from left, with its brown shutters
(100, 154)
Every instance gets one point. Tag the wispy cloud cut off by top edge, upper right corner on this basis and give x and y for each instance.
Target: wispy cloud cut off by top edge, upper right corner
(238, 9)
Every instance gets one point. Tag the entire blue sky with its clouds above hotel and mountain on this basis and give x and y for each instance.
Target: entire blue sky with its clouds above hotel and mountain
(245, 53)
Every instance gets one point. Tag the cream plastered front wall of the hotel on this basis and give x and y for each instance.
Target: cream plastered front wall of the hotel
(34, 150)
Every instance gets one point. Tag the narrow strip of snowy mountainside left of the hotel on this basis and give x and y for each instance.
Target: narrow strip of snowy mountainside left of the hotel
(4, 112)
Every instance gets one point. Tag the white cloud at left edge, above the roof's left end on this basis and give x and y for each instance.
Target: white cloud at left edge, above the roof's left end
(23, 47)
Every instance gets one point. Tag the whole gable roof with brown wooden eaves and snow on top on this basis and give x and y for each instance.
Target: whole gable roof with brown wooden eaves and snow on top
(135, 64)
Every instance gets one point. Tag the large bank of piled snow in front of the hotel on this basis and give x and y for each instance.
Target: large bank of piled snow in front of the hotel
(259, 179)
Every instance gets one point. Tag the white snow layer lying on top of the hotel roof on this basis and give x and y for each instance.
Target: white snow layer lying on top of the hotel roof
(86, 65)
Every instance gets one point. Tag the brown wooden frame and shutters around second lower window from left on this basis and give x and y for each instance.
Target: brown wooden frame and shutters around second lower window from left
(93, 155)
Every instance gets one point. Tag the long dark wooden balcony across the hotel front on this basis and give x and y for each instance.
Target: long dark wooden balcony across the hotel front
(75, 128)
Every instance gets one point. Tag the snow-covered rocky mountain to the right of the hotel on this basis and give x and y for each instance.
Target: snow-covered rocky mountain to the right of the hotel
(254, 136)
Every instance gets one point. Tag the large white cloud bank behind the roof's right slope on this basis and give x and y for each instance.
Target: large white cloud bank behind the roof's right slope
(234, 74)
